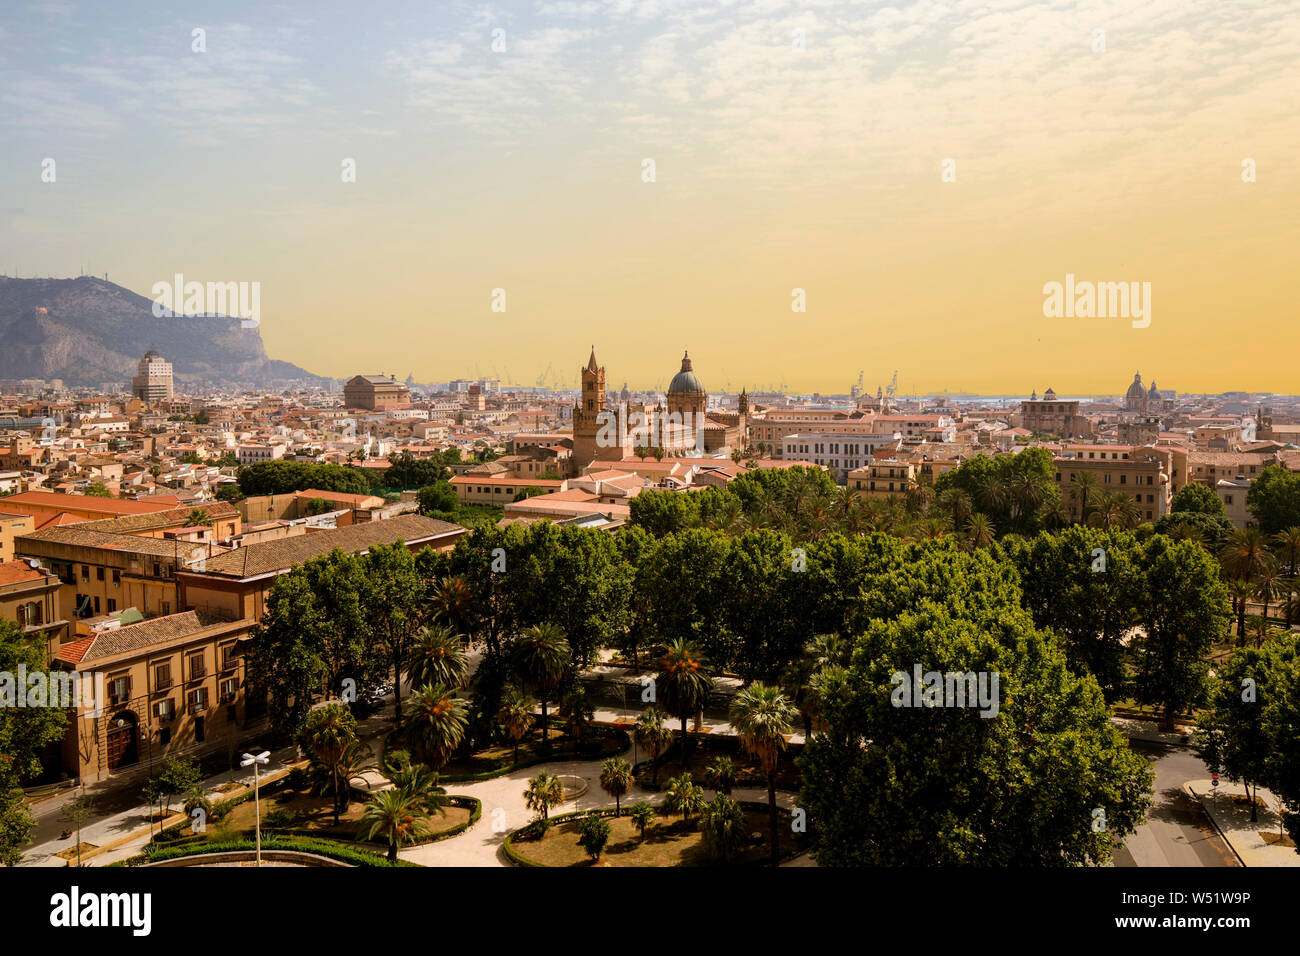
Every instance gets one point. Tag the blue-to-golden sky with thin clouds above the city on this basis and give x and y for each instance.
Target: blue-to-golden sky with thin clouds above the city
(920, 171)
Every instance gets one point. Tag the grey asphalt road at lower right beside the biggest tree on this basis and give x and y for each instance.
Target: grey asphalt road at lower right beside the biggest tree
(1177, 832)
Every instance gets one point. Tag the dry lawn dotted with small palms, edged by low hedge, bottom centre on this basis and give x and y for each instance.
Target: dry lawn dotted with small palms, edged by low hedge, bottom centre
(669, 843)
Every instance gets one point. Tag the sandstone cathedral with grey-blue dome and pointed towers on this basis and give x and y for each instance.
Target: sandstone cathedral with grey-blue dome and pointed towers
(606, 431)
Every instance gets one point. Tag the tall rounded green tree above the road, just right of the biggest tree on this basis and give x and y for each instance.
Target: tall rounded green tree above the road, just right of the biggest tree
(1184, 613)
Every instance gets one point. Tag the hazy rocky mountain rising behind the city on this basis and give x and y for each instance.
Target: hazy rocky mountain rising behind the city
(89, 331)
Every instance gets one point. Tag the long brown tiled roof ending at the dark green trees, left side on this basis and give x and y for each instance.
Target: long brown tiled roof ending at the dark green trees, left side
(268, 557)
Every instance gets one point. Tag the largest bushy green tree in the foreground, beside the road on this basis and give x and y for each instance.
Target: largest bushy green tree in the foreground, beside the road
(1008, 773)
